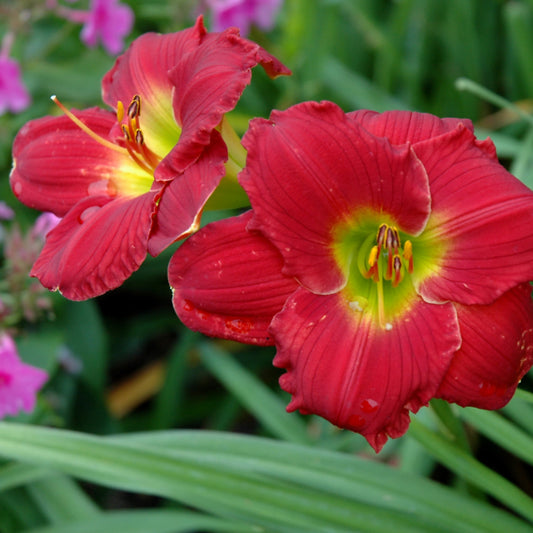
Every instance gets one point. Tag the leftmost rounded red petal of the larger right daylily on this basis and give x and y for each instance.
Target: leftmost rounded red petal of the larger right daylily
(227, 282)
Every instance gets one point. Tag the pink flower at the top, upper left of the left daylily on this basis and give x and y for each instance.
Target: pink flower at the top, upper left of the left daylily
(110, 22)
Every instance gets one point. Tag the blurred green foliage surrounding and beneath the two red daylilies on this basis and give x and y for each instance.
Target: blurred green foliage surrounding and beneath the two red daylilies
(163, 430)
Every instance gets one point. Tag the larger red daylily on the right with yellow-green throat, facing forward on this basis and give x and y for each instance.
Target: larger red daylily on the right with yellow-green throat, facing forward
(386, 256)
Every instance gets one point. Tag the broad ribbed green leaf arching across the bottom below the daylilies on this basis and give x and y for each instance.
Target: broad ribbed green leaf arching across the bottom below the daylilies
(276, 485)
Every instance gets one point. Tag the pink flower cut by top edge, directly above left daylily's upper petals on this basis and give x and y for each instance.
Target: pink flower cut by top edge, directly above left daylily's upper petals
(243, 13)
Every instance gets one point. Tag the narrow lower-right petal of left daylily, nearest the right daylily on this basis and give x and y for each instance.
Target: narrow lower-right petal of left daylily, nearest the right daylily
(183, 199)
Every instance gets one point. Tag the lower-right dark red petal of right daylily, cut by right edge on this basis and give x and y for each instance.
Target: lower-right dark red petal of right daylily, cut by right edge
(496, 352)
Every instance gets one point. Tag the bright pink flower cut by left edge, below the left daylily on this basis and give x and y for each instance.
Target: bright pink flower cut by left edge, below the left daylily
(19, 382)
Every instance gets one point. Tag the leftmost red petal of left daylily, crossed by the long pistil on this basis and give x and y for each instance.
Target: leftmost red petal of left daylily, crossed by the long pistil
(56, 163)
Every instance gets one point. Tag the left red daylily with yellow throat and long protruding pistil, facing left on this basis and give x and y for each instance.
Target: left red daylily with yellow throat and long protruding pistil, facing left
(136, 179)
